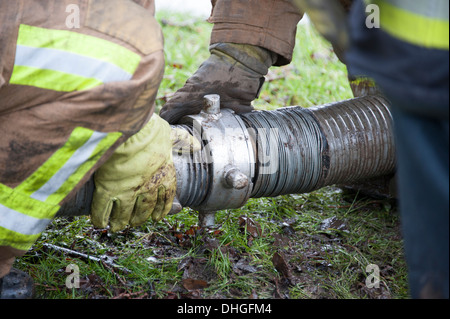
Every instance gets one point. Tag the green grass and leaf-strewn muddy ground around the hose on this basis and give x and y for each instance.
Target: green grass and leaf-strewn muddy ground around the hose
(270, 248)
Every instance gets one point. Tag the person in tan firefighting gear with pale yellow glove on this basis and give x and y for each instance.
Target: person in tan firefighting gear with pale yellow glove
(78, 82)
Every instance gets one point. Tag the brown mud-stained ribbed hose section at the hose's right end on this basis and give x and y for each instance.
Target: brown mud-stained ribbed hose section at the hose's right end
(360, 140)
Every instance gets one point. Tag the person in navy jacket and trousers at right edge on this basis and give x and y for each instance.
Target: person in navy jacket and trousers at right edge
(409, 60)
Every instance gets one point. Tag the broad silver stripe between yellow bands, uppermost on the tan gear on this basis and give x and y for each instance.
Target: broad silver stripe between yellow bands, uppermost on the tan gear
(71, 63)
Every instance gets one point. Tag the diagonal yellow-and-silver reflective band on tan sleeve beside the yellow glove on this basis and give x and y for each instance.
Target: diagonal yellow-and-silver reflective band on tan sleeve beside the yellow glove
(67, 166)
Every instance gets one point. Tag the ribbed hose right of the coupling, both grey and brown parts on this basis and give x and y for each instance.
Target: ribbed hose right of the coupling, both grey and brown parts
(332, 144)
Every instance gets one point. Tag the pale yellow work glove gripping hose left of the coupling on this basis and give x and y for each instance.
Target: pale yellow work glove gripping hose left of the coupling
(138, 181)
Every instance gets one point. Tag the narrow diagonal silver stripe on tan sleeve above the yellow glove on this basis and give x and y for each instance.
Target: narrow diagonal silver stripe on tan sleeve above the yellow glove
(79, 157)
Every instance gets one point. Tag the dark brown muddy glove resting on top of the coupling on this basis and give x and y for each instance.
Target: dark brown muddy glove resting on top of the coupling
(234, 71)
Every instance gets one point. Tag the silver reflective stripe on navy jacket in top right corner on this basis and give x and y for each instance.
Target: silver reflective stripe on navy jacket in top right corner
(435, 9)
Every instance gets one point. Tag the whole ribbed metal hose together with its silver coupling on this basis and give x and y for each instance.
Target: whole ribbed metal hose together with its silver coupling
(290, 150)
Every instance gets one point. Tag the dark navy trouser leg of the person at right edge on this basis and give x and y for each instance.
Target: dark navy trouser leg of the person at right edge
(423, 185)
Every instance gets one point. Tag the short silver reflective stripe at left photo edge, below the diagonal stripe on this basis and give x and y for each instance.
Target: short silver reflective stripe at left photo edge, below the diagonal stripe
(21, 223)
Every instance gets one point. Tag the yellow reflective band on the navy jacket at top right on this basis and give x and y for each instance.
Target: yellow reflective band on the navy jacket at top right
(414, 28)
